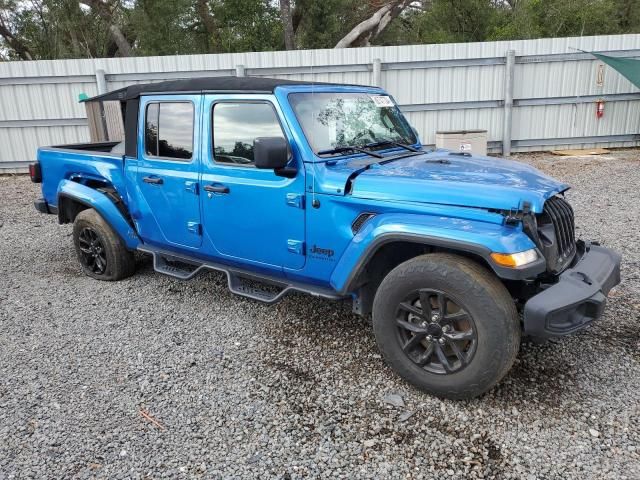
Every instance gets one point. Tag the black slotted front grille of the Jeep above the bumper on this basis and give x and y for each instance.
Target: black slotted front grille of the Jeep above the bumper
(556, 233)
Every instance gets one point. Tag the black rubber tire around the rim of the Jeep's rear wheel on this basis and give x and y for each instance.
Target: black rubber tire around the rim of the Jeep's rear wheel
(120, 262)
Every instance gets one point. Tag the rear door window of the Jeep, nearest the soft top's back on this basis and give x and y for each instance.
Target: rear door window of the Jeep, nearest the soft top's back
(168, 130)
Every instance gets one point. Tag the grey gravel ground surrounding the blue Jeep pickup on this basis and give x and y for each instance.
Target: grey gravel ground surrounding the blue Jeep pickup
(242, 390)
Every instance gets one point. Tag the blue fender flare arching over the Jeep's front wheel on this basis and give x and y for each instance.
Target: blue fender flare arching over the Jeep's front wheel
(470, 236)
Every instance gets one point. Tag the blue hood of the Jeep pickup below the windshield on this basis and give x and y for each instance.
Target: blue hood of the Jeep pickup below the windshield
(444, 177)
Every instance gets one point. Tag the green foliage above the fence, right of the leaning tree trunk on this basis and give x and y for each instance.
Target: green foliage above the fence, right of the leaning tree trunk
(485, 20)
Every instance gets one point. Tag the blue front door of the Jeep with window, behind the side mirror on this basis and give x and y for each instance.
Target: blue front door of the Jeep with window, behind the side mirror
(250, 214)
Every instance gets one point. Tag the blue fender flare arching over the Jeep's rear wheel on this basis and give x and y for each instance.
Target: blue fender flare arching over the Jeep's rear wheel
(103, 205)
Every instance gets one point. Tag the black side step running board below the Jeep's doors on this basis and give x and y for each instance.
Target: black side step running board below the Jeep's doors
(247, 284)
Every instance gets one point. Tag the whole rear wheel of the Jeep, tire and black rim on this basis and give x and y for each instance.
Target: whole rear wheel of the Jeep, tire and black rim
(101, 252)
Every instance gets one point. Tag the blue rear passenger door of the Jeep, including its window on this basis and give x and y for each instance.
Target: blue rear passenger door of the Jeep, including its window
(168, 166)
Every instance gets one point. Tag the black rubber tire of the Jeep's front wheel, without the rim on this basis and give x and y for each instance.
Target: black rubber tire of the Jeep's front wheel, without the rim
(481, 294)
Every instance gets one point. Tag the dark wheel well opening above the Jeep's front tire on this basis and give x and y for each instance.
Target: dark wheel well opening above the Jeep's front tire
(385, 259)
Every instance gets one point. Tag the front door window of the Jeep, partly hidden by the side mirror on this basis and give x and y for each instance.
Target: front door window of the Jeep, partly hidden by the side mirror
(237, 125)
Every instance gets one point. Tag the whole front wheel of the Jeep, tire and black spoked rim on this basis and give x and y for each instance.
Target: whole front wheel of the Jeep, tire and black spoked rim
(447, 325)
